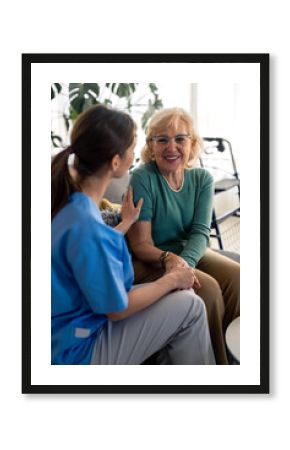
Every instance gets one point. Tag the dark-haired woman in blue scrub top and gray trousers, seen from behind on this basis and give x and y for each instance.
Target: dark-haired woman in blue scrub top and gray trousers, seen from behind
(96, 316)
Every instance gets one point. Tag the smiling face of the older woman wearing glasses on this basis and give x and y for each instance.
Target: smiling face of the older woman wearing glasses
(170, 148)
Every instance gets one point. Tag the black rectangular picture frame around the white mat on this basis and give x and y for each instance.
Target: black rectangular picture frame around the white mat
(248, 58)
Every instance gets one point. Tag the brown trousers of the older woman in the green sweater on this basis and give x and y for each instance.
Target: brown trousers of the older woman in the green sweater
(220, 290)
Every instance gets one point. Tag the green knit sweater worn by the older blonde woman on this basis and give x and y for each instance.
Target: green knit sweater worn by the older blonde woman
(180, 220)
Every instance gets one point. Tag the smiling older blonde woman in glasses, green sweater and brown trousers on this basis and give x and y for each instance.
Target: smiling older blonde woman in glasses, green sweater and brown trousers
(174, 224)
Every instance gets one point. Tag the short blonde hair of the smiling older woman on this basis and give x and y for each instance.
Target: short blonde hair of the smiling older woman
(169, 117)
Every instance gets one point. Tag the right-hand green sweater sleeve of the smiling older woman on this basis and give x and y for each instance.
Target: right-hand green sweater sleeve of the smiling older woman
(198, 235)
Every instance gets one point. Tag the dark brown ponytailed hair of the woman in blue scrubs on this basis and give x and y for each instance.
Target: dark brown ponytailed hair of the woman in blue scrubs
(98, 134)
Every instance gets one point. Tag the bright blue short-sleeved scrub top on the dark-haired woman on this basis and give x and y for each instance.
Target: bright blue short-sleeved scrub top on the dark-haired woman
(91, 273)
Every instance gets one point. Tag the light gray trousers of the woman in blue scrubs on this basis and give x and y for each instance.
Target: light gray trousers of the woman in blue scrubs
(175, 326)
